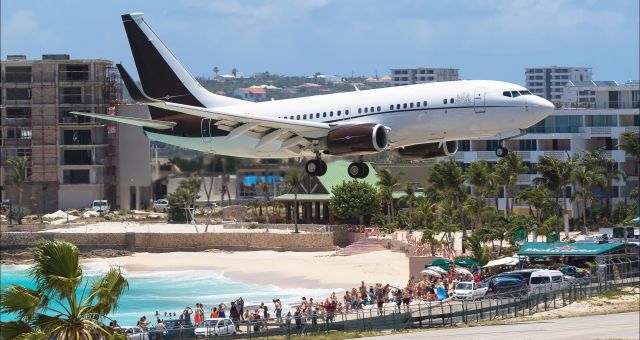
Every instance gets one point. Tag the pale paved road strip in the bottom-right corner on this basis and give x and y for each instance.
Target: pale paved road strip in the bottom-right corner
(612, 326)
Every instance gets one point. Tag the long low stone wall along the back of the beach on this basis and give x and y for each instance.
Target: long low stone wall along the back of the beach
(159, 242)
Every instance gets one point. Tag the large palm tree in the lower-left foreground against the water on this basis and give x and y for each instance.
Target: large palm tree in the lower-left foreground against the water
(58, 307)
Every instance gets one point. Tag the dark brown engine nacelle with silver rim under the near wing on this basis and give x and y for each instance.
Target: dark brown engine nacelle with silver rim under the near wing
(357, 139)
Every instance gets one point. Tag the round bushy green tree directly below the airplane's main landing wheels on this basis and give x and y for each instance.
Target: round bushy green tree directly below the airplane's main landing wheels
(354, 199)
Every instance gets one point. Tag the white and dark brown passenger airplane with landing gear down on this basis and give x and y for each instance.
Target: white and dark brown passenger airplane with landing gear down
(419, 121)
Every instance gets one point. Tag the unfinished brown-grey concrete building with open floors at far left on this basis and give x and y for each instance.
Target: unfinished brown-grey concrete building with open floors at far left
(71, 159)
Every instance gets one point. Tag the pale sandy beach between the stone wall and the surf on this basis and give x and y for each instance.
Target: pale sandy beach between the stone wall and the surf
(283, 269)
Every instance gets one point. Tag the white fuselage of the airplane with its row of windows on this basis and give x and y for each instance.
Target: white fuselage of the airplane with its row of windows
(479, 109)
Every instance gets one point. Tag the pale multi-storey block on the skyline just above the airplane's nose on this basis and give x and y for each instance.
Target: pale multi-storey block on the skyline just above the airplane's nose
(548, 82)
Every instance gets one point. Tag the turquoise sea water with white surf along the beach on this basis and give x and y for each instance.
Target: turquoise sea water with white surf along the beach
(172, 291)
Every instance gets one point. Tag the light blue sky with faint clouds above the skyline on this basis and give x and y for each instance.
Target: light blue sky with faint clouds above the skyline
(485, 39)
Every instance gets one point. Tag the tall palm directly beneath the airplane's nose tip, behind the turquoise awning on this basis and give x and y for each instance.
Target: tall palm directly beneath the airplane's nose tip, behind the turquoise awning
(556, 175)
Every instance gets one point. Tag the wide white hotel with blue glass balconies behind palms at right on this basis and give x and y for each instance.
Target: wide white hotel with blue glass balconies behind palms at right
(569, 131)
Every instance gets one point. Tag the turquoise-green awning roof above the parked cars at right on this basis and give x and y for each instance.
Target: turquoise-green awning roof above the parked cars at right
(575, 249)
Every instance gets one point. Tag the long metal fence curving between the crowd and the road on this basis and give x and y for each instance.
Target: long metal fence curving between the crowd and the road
(422, 314)
